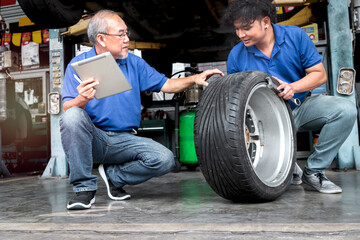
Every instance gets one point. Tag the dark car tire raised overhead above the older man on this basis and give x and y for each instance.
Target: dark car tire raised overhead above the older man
(53, 13)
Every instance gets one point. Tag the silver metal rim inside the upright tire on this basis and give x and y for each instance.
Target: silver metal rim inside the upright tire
(268, 135)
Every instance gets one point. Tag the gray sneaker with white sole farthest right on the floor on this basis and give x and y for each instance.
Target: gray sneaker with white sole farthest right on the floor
(321, 183)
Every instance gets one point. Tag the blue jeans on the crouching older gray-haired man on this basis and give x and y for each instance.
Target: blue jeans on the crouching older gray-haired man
(130, 159)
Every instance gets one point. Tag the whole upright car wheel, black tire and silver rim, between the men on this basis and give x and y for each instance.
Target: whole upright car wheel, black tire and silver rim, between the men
(245, 138)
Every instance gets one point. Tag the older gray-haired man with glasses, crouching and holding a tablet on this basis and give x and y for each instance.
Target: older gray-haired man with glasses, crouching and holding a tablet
(101, 131)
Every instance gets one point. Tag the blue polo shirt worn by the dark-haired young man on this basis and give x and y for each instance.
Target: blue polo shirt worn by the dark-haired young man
(293, 52)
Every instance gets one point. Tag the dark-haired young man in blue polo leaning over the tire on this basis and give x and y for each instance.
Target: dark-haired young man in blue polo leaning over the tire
(288, 54)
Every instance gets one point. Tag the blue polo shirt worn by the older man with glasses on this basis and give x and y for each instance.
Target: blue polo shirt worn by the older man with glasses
(120, 112)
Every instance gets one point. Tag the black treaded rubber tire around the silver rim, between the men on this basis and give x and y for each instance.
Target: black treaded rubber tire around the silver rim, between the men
(242, 182)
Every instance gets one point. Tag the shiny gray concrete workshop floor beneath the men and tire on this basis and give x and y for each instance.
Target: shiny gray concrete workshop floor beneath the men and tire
(177, 206)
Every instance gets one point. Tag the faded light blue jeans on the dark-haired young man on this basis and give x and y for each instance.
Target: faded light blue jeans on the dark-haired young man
(335, 117)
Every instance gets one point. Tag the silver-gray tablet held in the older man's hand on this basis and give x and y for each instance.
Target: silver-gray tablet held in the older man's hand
(105, 70)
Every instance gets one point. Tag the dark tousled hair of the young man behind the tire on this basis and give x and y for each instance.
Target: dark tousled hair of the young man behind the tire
(248, 11)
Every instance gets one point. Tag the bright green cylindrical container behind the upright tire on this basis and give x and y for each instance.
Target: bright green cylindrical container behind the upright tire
(186, 135)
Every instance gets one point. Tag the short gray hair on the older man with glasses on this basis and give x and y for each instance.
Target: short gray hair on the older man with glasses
(98, 24)
